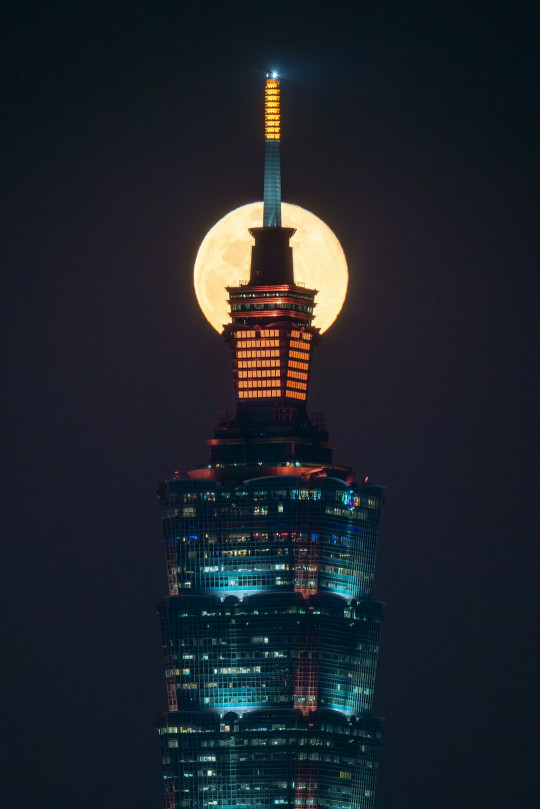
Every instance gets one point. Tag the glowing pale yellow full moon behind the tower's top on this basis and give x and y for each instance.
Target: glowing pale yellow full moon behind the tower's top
(224, 259)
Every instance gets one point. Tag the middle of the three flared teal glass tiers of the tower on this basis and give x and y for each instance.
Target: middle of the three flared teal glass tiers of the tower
(329, 655)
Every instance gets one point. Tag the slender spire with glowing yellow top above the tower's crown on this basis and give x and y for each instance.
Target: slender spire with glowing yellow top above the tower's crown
(272, 170)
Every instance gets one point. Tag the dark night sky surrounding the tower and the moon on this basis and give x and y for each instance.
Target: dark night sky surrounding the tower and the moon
(129, 129)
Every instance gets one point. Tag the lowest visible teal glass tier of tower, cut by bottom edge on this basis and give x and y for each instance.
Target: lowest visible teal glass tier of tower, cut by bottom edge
(220, 764)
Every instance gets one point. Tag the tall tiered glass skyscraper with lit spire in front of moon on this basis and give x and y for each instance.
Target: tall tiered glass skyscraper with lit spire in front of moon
(269, 631)
